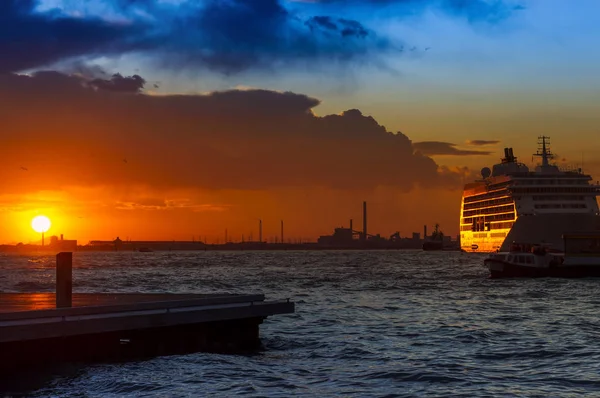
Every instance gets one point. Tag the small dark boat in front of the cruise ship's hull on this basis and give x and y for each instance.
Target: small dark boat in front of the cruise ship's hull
(580, 259)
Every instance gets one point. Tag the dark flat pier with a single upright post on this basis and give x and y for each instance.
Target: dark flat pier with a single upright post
(38, 328)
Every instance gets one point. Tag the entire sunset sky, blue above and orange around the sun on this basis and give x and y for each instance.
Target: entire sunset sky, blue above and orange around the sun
(174, 119)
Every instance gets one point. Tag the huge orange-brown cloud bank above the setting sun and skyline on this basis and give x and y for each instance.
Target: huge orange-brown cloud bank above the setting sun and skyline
(254, 139)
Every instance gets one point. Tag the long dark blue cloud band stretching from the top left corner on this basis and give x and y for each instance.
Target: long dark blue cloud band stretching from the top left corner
(227, 36)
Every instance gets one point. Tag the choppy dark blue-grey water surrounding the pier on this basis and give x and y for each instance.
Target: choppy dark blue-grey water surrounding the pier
(389, 323)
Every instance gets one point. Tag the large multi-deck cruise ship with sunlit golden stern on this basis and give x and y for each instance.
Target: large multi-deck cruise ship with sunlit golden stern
(510, 204)
